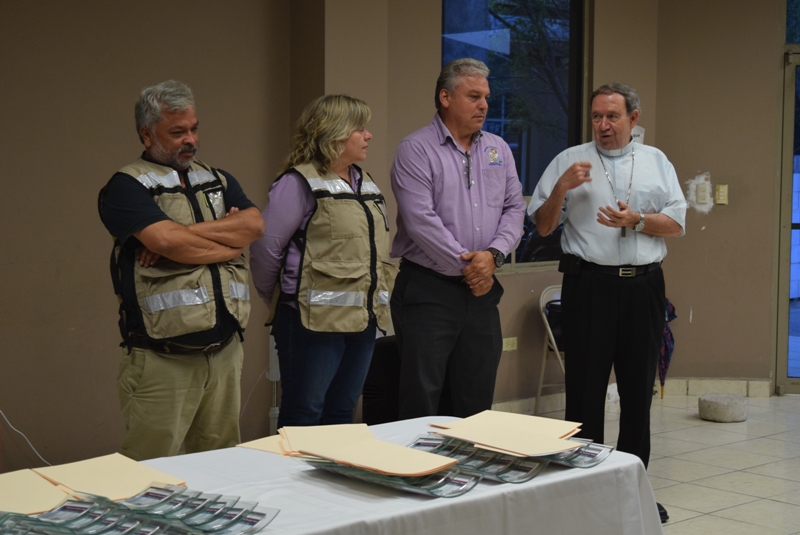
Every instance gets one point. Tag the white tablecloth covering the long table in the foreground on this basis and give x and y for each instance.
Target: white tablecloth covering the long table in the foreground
(613, 498)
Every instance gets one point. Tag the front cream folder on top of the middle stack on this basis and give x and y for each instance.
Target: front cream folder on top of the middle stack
(383, 458)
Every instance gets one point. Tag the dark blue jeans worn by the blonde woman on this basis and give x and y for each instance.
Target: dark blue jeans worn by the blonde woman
(322, 374)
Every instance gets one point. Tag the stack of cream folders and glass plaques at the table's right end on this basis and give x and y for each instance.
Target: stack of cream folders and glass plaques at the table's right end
(509, 436)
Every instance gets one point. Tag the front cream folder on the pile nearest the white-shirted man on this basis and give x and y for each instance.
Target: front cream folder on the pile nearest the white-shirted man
(521, 441)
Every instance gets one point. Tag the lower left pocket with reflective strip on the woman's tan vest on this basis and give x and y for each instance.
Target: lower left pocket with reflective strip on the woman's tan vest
(334, 299)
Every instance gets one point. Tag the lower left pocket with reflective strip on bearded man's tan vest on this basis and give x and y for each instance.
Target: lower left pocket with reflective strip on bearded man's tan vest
(175, 299)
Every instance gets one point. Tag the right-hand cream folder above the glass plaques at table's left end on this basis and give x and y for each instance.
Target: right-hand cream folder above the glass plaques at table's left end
(114, 476)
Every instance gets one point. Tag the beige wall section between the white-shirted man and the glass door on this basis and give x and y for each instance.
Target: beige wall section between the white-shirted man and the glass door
(720, 74)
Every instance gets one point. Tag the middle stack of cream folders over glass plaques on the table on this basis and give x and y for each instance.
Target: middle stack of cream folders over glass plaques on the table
(353, 451)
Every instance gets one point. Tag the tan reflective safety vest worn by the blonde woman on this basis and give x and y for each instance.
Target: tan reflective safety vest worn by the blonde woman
(345, 273)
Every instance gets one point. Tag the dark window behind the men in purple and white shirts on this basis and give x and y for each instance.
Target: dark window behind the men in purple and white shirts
(534, 51)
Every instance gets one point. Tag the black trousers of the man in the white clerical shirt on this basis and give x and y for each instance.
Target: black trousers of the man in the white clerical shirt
(610, 320)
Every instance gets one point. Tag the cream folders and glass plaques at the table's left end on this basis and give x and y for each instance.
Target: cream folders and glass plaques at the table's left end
(43, 502)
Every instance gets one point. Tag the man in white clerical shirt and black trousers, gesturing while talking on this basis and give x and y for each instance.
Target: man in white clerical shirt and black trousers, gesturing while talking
(615, 220)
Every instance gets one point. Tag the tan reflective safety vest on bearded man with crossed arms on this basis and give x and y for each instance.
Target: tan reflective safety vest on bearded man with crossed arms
(178, 299)
